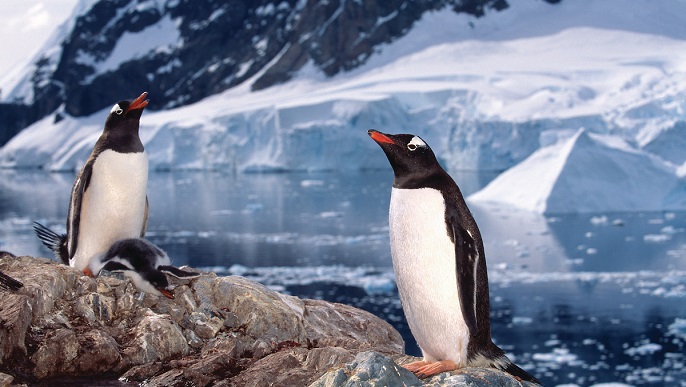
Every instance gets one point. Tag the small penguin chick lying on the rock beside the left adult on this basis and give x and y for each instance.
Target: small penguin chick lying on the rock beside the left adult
(143, 262)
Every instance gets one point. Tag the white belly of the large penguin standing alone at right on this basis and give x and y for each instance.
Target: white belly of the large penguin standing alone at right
(425, 272)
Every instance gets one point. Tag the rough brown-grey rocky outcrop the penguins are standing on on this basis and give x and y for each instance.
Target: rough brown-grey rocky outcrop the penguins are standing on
(217, 331)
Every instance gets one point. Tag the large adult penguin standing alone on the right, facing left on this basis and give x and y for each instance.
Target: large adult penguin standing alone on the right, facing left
(439, 263)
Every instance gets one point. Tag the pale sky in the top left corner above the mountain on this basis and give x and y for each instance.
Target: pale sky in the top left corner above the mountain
(25, 26)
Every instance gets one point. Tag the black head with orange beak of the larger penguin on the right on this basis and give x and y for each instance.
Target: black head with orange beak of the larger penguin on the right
(412, 159)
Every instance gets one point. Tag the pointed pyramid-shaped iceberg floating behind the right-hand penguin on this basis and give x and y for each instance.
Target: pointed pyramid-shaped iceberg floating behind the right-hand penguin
(588, 173)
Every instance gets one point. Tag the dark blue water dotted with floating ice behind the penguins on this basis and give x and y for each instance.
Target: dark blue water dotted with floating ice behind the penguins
(576, 299)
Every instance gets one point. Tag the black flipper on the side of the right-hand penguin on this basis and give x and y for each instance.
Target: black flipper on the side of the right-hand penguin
(466, 256)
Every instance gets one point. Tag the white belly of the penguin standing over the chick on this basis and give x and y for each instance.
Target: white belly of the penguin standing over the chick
(113, 206)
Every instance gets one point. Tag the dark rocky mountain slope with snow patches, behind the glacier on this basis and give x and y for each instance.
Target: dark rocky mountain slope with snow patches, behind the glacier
(182, 51)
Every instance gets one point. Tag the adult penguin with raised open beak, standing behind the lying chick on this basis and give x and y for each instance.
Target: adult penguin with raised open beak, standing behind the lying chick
(108, 199)
